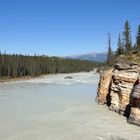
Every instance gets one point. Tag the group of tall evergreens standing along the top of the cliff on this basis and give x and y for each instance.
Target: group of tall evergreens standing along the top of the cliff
(124, 45)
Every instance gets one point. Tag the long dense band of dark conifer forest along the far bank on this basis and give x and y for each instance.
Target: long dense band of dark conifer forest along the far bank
(23, 65)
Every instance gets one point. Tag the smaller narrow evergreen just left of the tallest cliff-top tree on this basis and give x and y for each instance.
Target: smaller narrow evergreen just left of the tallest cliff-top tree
(120, 49)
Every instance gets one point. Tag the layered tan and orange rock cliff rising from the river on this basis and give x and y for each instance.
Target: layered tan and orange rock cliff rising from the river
(119, 89)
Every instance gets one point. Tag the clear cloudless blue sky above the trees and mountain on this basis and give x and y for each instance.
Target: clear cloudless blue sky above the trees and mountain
(64, 27)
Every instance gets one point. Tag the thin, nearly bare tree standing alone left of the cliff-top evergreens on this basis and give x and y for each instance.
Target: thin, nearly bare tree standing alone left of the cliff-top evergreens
(110, 52)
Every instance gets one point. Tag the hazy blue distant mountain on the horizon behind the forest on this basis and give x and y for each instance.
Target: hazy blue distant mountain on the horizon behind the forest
(100, 57)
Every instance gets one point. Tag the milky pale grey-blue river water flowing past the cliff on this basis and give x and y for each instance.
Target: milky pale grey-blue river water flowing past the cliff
(54, 108)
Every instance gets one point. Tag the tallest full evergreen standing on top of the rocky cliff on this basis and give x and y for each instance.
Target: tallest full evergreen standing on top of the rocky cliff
(127, 38)
